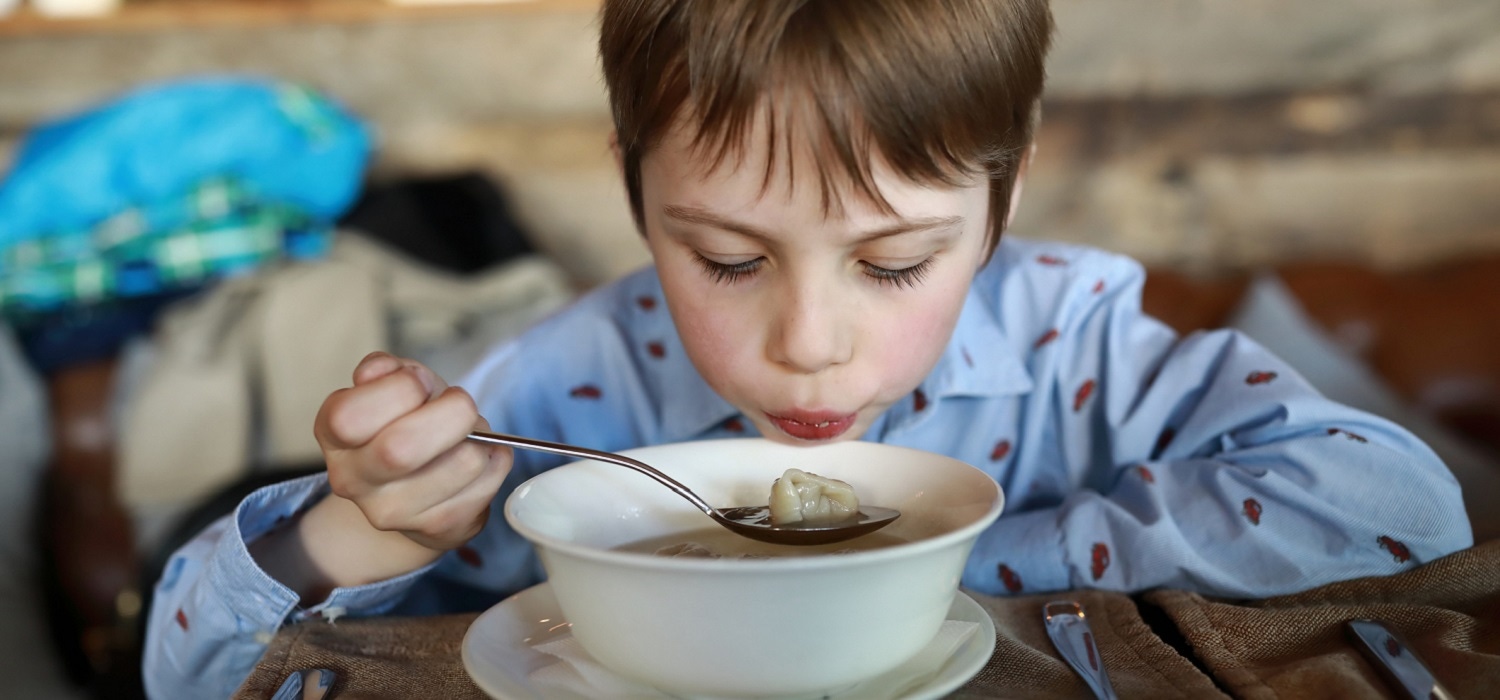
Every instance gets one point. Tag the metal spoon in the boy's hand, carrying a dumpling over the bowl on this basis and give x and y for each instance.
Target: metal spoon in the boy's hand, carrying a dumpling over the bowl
(752, 521)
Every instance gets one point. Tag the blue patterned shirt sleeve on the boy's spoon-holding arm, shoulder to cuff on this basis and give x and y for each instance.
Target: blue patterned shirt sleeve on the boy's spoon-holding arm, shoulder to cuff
(572, 378)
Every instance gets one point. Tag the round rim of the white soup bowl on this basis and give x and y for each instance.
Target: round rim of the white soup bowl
(638, 560)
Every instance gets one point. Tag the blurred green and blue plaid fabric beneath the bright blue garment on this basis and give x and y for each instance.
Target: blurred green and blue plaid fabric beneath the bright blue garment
(218, 230)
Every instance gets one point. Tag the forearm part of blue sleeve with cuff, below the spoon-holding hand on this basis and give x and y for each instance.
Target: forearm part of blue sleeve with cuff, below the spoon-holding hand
(215, 611)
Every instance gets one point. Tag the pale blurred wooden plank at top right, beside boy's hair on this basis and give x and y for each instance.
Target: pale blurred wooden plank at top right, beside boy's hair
(1243, 47)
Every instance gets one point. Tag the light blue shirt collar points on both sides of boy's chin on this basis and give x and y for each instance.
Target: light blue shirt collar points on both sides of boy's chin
(979, 362)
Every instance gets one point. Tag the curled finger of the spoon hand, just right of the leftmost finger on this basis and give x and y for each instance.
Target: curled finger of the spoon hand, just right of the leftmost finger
(424, 435)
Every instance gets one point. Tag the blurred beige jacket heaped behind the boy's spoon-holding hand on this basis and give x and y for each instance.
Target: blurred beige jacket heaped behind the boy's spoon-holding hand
(236, 375)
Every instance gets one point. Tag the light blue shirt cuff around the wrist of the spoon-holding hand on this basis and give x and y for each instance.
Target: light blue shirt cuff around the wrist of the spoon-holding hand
(263, 603)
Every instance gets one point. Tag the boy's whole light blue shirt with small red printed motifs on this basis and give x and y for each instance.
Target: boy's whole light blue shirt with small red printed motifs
(1130, 459)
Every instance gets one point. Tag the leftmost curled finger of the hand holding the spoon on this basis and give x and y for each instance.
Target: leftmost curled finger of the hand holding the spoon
(352, 417)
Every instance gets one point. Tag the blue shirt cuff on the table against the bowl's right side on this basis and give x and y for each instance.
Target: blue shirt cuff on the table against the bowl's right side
(1021, 554)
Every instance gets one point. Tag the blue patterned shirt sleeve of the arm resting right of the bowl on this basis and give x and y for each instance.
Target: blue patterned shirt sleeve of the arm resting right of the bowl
(1207, 464)
